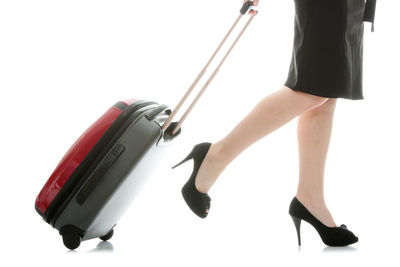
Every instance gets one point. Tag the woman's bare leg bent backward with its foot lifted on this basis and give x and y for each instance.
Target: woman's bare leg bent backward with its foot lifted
(270, 113)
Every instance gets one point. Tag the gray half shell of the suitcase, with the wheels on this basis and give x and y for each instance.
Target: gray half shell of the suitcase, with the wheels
(98, 204)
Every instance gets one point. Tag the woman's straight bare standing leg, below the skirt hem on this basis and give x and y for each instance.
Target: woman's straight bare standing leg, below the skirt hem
(314, 132)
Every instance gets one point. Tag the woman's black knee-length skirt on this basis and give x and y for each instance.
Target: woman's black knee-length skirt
(327, 57)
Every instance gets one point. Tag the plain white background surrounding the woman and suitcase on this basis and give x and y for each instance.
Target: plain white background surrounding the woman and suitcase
(63, 63)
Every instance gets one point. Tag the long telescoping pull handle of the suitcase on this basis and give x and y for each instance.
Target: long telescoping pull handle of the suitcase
(169, 128)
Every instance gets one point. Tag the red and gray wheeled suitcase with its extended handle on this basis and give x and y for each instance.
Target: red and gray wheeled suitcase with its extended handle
(100, 175)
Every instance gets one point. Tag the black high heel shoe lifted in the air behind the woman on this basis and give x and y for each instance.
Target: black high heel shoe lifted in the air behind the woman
(198, 202)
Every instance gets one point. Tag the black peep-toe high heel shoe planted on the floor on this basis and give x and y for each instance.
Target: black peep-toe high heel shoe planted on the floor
(331, 236)
